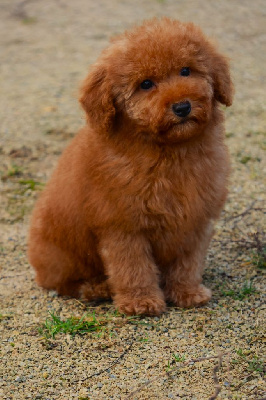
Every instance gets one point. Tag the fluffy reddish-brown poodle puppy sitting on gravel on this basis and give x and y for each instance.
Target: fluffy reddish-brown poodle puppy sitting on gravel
(128, 212)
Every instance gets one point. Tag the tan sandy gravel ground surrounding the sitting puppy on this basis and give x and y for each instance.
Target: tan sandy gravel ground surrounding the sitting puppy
(212, 352)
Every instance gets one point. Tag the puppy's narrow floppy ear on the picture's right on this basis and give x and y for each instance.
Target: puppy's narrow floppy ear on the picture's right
(222, 83)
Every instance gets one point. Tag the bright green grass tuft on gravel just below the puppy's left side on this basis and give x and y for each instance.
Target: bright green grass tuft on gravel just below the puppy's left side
(72, 325)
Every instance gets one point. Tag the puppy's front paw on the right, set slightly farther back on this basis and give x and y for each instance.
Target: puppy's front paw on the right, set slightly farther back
(192, 297)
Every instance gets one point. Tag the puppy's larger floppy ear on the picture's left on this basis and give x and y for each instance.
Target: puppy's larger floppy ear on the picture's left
(96, 99)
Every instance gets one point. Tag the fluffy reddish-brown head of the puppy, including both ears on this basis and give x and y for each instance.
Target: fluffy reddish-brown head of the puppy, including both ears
(164, 78)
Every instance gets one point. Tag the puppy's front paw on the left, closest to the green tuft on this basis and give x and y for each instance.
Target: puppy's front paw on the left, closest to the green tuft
(150, 305)
